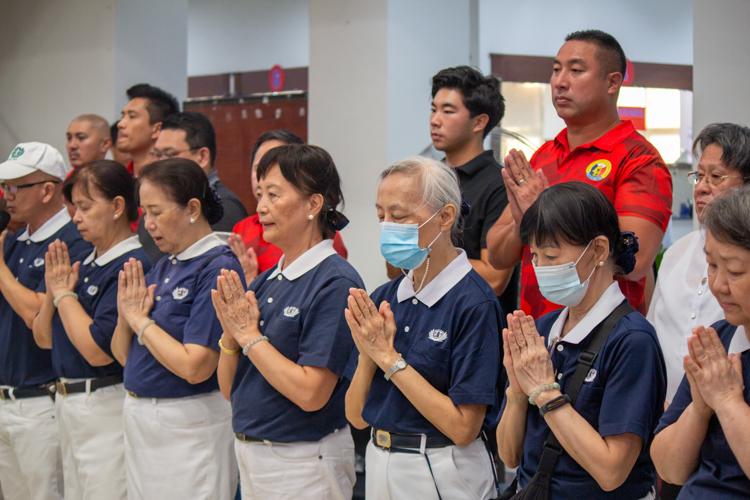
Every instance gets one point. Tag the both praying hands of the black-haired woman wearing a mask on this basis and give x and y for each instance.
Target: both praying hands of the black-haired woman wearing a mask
(526, 360)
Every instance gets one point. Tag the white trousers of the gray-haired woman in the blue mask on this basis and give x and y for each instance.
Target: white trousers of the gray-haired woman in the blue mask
(459, 473)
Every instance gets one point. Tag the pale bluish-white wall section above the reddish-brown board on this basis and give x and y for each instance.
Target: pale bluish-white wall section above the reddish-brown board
(247, 35)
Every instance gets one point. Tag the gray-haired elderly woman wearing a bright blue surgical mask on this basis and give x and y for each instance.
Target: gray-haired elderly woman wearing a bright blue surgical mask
(428, 342)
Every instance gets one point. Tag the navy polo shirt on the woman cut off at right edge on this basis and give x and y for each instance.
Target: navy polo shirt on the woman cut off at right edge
(719, 475)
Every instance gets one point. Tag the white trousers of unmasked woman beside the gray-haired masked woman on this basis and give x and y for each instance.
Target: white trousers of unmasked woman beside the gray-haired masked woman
(321, 470)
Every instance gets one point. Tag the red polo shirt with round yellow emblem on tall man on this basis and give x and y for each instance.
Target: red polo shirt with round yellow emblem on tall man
(628, 170)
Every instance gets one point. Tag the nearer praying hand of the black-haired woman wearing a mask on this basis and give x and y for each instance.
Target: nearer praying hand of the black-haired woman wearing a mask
(531, 361)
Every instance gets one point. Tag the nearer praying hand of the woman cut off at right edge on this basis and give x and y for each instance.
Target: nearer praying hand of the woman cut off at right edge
(718, 376)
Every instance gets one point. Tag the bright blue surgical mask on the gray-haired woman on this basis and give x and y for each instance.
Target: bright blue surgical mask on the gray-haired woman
(399, 244)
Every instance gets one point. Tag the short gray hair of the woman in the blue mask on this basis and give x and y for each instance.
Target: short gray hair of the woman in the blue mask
(438, 181)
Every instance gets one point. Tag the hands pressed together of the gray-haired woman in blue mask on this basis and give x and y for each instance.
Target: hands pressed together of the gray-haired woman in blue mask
(373, 329)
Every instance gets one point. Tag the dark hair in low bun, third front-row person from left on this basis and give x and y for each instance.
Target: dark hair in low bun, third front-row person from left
(183, 180)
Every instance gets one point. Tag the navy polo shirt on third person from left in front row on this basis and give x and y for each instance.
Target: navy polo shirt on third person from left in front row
(182, 308)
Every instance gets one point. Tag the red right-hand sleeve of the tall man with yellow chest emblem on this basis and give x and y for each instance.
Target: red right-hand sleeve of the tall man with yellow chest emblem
(645, 190)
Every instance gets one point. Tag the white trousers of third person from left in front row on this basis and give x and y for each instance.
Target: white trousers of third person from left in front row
(179, 448)
